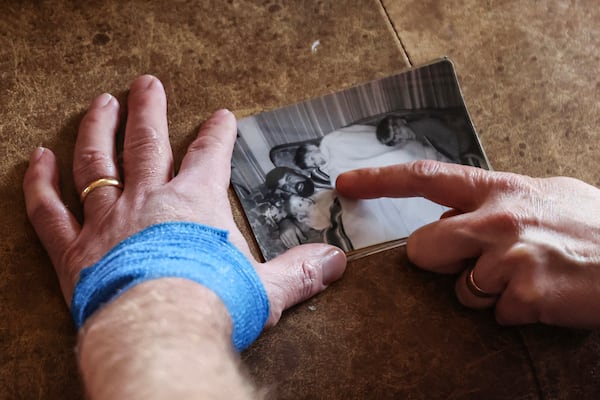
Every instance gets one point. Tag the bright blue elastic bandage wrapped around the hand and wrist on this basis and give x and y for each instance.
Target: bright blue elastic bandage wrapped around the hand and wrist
(187, 250)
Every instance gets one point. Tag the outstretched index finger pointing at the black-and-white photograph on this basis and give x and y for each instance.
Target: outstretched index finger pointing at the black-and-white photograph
(452, 185)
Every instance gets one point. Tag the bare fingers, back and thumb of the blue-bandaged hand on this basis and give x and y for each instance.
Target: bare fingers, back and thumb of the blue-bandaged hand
(151, 195)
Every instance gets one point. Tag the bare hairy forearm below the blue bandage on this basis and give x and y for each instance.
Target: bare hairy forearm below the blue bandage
(165, 338)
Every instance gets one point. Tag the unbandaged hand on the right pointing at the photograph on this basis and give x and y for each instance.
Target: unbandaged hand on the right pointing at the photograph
(536, 241)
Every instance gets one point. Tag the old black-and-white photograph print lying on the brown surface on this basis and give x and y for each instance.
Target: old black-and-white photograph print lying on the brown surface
(286, 161)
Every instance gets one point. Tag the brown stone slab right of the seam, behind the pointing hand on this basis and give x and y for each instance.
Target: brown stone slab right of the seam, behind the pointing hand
(529, 74)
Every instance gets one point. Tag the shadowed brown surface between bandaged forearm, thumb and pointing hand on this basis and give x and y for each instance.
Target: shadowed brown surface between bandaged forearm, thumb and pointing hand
(390, 332)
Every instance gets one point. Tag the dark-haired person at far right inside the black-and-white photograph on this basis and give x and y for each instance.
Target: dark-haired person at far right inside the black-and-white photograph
(436, 138)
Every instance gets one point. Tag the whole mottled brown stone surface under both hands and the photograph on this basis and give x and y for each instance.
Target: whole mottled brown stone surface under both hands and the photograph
(386, 330)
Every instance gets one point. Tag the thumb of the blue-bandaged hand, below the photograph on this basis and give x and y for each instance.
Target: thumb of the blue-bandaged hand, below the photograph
(298, 274)
